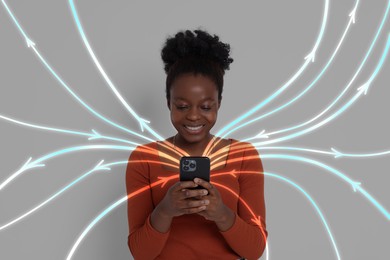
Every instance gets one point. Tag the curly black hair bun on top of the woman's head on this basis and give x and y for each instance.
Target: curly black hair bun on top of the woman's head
(199, 44)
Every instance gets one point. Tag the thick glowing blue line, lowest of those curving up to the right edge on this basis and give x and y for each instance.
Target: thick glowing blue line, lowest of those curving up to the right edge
(361, 90)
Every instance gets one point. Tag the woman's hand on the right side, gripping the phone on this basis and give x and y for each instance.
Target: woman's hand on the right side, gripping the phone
(215, 210)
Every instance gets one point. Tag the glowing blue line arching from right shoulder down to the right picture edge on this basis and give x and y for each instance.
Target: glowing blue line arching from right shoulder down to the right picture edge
(355, 185)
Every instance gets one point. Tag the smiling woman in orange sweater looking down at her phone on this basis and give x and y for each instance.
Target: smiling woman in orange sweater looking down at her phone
(168, 219)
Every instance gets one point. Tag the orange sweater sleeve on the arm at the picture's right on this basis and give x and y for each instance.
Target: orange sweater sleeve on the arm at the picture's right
(248, 236)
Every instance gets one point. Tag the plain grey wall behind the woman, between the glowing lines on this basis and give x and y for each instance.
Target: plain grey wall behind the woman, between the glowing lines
(269, 41)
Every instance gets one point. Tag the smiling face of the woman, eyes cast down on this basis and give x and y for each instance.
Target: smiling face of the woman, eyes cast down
(194, 106)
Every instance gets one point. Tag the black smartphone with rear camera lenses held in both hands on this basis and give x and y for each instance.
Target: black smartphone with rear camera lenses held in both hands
(192, 167)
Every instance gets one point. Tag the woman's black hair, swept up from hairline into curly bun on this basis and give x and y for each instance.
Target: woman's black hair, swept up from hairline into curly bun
(199, 53)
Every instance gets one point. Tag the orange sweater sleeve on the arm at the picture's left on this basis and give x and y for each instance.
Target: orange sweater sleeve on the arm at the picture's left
(144, 241)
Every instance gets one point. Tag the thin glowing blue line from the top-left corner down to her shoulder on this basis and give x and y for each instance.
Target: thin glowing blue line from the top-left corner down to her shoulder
(32, 45)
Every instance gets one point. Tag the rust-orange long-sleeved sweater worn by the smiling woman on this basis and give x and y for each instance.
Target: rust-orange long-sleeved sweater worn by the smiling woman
(191, 236)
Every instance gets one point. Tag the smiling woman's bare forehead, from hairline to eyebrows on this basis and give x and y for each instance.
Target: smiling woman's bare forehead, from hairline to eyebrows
(191, 87)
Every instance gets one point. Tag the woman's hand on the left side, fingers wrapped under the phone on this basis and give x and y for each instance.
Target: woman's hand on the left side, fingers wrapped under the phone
(180, 200)
